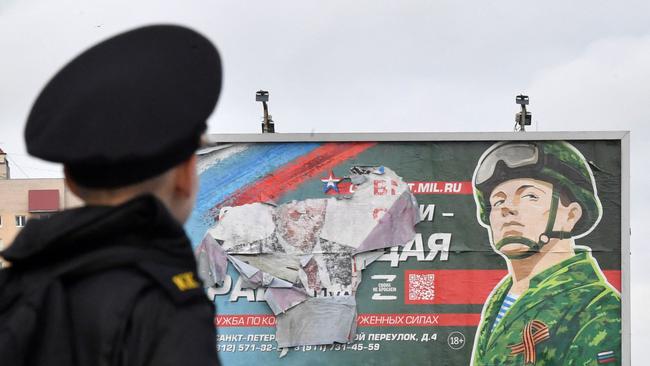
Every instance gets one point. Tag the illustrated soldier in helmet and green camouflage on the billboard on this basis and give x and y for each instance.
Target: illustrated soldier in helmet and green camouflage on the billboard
(554, 307)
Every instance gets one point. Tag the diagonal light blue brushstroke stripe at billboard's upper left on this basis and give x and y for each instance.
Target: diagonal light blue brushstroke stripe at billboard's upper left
(238, 171)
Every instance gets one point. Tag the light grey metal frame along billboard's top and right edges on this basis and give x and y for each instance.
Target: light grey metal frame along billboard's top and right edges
(622, 136)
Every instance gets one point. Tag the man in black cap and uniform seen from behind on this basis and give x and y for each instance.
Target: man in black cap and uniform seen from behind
(125, 118)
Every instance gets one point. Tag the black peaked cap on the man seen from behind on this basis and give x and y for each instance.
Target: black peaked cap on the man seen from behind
(129, 108)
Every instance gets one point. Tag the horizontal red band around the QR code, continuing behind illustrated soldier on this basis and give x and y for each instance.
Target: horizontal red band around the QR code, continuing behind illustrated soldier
(455, 286)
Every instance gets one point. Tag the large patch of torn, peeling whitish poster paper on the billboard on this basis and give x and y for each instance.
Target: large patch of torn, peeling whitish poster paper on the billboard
(302, 250)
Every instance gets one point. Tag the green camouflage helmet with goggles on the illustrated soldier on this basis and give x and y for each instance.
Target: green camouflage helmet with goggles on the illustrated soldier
(556, 162)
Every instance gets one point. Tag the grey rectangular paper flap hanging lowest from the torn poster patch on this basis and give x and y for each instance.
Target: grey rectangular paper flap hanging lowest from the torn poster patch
(320, 320)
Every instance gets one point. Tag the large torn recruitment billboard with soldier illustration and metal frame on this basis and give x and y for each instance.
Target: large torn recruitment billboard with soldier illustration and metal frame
(450, 249)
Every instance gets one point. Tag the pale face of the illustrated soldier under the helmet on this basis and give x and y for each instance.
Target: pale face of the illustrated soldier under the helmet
(520, 208)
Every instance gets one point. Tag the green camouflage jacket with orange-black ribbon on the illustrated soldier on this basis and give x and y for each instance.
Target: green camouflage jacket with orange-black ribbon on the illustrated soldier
(569, 315)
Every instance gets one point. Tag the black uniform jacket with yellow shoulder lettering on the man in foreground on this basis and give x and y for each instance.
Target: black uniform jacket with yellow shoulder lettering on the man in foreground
(133, 298)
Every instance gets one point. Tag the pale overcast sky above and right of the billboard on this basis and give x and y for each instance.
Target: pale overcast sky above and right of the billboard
(361, 66)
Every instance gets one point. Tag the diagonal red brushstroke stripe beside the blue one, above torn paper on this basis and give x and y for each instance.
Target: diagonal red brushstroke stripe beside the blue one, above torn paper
(315, 164)
